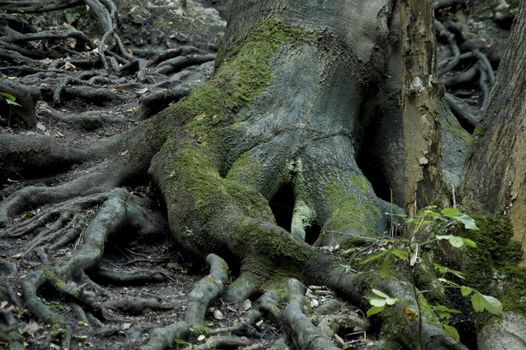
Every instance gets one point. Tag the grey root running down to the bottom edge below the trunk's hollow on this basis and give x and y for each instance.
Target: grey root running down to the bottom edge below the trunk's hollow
(304, 334)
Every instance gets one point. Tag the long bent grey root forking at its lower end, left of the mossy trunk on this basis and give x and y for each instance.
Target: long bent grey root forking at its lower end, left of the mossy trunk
(119, 210)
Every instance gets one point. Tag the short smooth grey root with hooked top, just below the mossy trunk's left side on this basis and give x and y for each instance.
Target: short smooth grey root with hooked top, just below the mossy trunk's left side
(206, 290)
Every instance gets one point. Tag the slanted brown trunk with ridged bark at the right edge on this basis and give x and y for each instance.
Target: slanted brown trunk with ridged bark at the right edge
(496, 174)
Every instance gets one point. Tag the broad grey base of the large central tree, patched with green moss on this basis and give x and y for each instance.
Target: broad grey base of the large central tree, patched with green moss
(283, 108)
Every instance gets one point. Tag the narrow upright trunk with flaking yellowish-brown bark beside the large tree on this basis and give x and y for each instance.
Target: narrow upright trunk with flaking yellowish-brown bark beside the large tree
(420, 105)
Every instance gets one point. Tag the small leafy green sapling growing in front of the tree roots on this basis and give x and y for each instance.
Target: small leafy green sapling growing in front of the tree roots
(409, 251)
